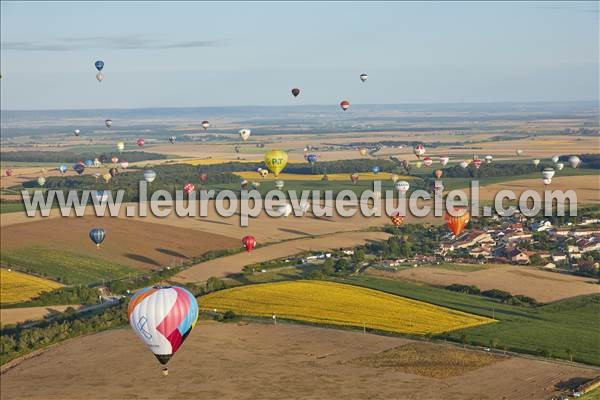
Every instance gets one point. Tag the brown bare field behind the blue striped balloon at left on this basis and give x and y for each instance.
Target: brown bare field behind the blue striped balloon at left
(140, 244)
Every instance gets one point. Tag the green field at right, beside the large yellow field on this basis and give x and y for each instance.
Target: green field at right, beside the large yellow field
(547, 330)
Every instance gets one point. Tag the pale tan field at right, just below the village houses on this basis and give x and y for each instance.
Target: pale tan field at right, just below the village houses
(544, 286)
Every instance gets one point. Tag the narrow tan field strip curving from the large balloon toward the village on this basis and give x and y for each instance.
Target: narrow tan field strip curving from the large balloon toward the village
(224, 266)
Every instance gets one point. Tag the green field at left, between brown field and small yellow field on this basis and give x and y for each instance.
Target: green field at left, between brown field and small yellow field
(65, 267)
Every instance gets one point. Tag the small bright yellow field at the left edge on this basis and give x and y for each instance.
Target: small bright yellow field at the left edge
(16, 287)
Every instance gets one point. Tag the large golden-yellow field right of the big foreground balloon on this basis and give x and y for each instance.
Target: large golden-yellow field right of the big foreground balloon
(339, 304)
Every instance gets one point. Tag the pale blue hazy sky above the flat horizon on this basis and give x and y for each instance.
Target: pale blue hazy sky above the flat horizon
(204, 54)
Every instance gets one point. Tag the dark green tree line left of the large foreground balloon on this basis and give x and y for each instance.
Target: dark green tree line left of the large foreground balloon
(17, 341)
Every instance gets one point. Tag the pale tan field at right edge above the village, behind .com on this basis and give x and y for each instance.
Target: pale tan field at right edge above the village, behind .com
(587, 187)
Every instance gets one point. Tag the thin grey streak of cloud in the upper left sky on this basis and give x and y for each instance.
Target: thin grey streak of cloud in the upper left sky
(129, 42)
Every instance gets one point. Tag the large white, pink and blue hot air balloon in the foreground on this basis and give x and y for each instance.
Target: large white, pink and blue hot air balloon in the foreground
(163, 317)
